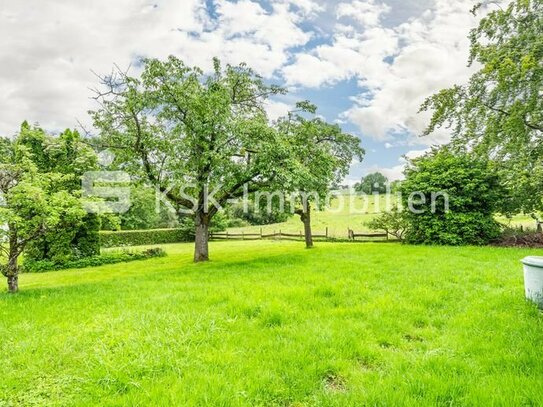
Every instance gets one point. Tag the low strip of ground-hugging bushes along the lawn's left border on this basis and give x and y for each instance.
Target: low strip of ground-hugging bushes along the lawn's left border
(108, 258)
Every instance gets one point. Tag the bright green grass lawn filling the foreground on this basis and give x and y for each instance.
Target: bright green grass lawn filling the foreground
(270, 323)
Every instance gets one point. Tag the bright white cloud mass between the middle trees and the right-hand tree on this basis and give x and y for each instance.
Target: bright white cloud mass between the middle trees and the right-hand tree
(397, 67)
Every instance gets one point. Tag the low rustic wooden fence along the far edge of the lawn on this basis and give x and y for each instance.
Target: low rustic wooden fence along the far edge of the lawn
(351, 235)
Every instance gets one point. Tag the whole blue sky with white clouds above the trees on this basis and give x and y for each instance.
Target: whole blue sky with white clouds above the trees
(367, 64)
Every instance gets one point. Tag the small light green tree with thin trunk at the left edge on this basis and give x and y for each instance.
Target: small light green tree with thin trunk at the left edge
(30, 206)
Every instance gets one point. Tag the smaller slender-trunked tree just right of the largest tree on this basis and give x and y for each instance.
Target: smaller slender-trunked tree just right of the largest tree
(320, 156)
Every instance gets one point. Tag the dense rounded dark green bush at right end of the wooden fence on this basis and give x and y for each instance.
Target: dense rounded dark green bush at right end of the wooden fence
(472, 190)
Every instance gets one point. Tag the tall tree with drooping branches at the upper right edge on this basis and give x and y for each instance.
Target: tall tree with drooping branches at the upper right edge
(499, 112)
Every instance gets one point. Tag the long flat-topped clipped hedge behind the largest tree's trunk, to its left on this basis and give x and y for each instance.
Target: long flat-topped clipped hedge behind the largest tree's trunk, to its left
(145, 237)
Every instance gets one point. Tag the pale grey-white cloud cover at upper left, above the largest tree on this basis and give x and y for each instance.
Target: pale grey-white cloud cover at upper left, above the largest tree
(49, 49)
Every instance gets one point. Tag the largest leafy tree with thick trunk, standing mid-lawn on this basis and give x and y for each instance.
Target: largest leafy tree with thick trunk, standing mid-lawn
(192, 134)
